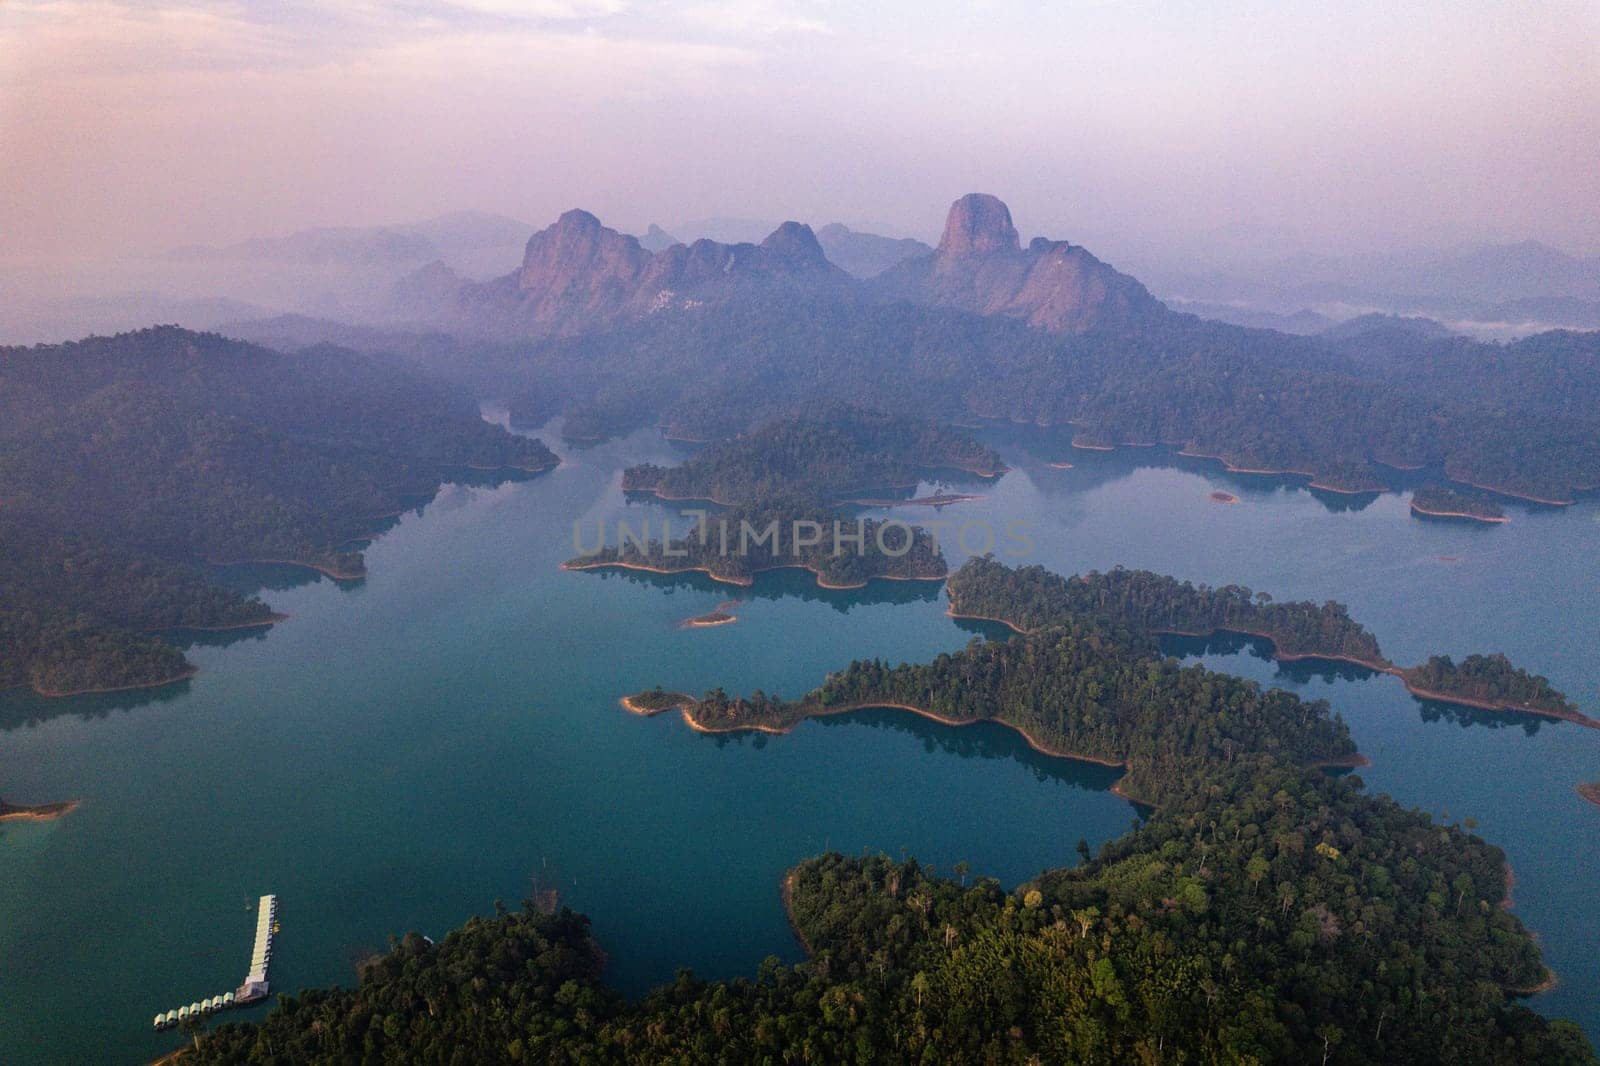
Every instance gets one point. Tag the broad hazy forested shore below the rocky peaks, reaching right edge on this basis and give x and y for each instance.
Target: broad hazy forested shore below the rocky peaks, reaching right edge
(1518, 417)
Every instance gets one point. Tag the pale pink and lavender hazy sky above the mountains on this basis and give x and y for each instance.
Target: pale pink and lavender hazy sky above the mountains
(1314, 126)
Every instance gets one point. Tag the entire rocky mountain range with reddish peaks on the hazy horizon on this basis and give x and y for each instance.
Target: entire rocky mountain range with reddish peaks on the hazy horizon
(580, 276)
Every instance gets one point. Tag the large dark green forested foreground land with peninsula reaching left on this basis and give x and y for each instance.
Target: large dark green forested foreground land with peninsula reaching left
(1265, 912)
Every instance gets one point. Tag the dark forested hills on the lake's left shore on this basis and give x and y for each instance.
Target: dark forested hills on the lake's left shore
(130, 463)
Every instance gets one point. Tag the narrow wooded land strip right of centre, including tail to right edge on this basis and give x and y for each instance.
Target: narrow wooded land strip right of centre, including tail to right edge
(1031, 598)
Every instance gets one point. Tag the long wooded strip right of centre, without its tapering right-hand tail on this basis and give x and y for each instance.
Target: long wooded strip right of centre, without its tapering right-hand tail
(1031, 598)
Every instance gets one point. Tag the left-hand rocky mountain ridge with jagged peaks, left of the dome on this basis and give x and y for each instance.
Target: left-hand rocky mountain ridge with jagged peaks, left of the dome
(580, 276)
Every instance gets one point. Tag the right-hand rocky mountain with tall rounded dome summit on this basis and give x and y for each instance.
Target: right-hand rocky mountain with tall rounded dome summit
(982, 268)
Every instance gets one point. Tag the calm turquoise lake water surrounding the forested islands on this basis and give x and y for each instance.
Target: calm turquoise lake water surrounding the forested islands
(406, 751)
